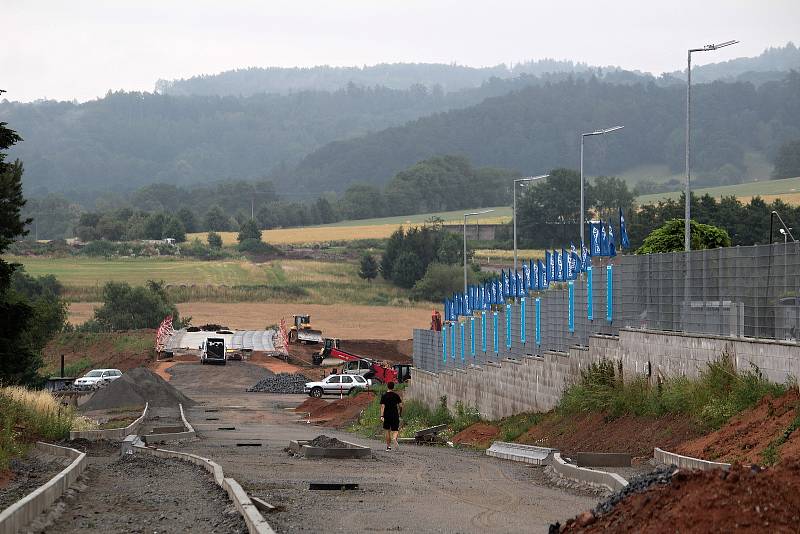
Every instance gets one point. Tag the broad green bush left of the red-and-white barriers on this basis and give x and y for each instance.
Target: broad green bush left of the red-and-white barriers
(129, 308)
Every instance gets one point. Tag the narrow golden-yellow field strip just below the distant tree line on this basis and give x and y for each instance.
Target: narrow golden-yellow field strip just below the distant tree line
(361, 229)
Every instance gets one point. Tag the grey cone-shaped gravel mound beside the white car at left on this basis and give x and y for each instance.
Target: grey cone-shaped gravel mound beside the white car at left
(136, 387)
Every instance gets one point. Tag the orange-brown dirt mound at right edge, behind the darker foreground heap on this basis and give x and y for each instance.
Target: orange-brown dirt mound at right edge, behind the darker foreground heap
(745, 437)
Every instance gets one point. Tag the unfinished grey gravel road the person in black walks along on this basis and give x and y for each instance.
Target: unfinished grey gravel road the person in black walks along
(414, 489)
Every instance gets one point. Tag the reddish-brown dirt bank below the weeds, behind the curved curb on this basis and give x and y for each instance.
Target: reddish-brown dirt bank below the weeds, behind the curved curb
(595, 432)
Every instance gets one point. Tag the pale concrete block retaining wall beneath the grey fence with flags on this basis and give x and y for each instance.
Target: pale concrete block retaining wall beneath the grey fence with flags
(536, 382)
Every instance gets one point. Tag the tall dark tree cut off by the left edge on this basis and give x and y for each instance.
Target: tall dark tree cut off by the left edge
(19, 363)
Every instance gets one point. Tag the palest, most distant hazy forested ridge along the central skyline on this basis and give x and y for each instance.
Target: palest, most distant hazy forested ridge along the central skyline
(243, 82)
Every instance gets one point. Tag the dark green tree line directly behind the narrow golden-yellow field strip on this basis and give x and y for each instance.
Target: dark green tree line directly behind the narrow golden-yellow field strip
(161, 211)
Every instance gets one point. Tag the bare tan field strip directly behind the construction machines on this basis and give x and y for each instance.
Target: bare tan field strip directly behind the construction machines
(342, 321)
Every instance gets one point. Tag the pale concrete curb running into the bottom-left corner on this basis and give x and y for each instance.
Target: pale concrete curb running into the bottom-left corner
(14, 518)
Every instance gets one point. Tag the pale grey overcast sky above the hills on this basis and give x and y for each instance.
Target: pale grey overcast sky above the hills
(80, 49)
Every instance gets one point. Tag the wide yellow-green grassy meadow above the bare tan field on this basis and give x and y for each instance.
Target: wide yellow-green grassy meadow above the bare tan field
(221, 281)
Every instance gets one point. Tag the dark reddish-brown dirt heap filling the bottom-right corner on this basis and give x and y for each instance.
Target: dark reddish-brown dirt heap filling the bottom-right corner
(742, 500)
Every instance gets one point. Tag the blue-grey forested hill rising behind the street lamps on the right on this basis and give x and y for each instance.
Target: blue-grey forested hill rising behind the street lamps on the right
(538, 127)
